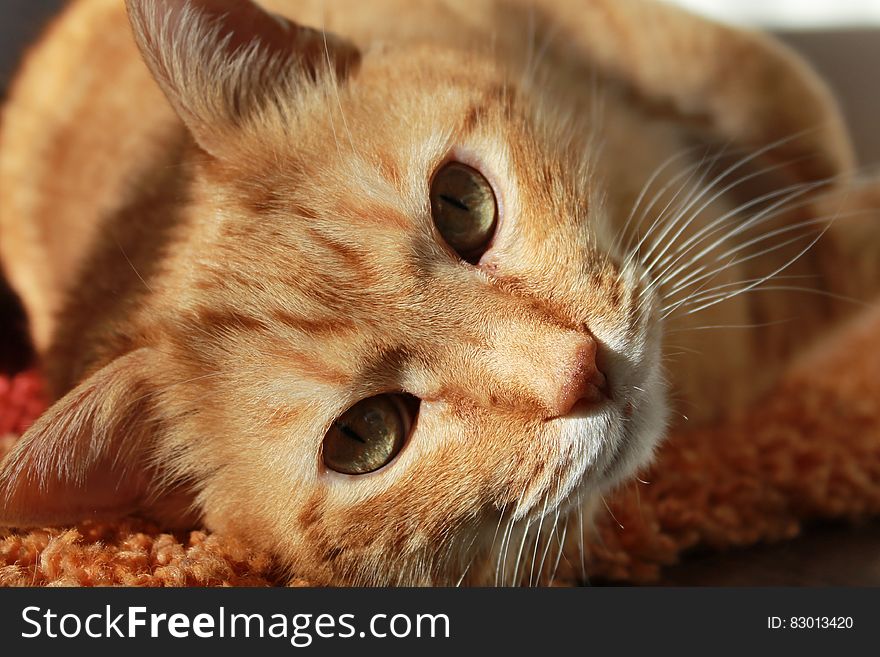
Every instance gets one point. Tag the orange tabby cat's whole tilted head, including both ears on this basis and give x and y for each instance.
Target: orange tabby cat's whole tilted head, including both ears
(392, 330)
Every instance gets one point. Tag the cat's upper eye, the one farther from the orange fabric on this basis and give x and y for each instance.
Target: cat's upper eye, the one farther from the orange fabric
(464, 209)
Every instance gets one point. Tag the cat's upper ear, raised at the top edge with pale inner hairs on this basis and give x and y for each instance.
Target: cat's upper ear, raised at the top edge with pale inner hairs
(221, 61)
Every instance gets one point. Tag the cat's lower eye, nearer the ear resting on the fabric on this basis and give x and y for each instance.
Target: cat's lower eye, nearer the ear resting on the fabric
(369, 434)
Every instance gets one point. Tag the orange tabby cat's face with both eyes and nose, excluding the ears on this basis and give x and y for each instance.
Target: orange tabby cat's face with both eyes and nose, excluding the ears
(508, 381)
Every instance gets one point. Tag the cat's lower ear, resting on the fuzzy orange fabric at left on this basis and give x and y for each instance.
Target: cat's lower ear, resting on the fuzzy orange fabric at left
(91, 455)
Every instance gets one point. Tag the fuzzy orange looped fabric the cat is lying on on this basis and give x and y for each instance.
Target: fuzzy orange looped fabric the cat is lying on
(810, 450)
